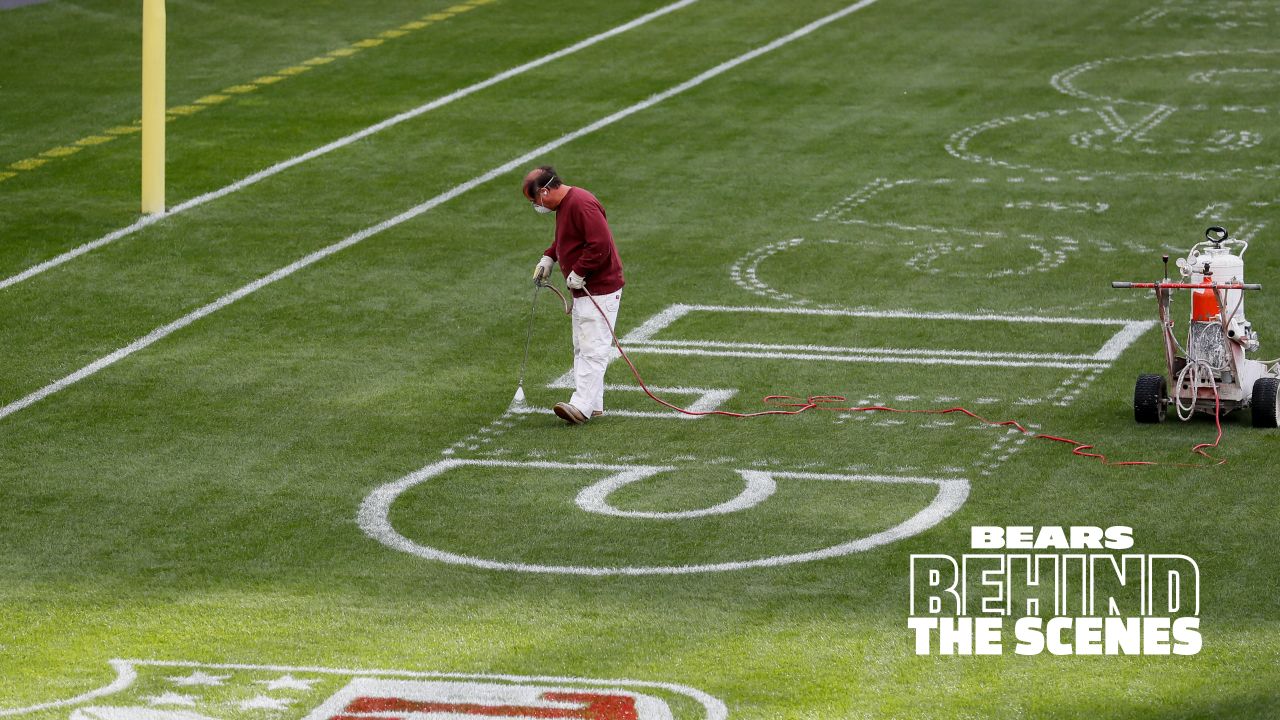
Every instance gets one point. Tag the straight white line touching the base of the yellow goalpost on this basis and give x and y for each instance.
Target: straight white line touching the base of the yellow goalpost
(341, 143)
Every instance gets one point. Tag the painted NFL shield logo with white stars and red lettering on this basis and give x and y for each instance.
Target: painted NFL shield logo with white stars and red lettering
(148, 690)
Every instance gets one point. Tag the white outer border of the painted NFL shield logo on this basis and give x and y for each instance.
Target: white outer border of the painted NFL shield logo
(127, 675)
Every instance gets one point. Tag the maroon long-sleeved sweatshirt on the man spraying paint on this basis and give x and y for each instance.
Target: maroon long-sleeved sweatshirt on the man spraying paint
(584, 244)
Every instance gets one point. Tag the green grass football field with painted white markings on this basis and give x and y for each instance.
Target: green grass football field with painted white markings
(916, 203)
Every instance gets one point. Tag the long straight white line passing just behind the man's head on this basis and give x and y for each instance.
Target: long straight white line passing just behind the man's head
(419, 209)
